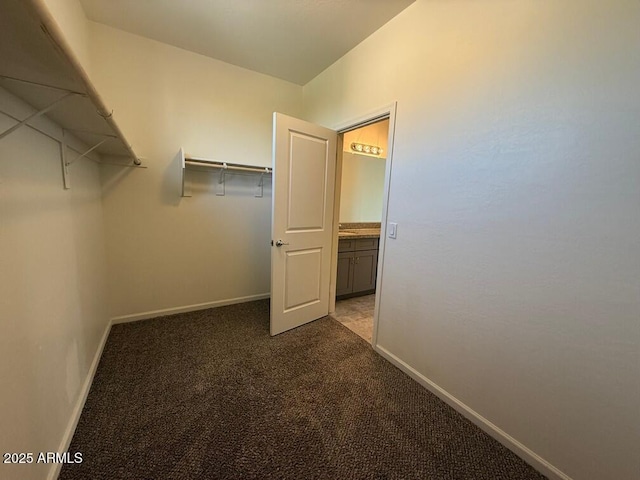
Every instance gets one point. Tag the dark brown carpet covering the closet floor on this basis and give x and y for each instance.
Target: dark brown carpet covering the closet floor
(210, 395)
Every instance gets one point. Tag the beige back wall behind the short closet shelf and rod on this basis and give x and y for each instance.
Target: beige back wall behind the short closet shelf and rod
(167, 252)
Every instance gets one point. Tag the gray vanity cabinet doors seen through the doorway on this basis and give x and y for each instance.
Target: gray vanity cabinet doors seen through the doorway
(357, 266)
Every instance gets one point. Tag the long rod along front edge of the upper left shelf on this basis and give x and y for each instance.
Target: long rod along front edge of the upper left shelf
(57, 37)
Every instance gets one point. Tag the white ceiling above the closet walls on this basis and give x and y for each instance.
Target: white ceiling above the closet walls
(293, 40)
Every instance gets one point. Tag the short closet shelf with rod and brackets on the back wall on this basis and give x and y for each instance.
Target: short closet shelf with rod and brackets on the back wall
(198, 163)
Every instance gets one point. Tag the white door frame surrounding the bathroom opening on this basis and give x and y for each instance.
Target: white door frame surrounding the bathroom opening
(382, 113)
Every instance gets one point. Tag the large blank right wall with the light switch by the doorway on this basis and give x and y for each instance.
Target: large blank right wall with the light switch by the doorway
(513, 283)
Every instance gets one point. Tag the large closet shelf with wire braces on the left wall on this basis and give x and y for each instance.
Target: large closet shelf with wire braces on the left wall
(38, 66)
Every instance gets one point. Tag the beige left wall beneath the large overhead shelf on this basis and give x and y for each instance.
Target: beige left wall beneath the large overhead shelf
(53, 312)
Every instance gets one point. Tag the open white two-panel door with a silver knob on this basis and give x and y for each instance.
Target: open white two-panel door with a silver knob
(304, 165)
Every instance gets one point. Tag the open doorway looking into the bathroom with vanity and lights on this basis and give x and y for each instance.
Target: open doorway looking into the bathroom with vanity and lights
(362, 188)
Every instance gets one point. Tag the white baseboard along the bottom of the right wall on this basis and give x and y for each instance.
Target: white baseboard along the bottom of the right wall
(500, 435)
